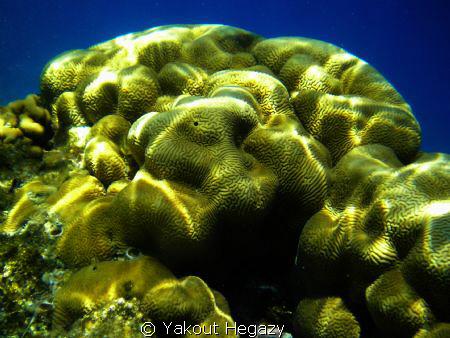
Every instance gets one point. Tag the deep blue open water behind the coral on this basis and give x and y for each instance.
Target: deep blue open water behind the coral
(407, 41)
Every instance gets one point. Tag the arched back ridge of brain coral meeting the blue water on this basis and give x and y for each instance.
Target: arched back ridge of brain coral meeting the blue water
(341, 100)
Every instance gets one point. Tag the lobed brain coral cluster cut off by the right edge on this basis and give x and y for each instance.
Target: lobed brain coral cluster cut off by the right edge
(382, 239)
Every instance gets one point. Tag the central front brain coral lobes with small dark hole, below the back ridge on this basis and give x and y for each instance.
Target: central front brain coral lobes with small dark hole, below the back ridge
(204, 163)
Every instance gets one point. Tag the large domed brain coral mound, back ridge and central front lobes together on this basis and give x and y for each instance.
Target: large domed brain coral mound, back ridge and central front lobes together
(230, 139)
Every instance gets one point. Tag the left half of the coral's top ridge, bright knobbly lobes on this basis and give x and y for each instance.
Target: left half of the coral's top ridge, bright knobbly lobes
(121, 76)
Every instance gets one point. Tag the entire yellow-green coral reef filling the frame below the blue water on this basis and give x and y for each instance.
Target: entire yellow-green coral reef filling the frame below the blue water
(203, 175)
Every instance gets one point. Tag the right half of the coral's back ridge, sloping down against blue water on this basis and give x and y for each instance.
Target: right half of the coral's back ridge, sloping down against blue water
(341, 100)
